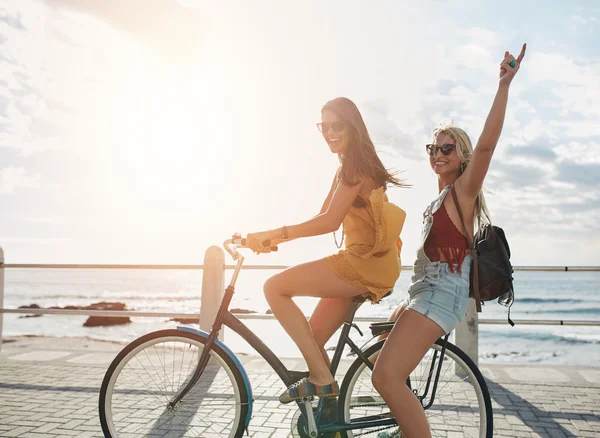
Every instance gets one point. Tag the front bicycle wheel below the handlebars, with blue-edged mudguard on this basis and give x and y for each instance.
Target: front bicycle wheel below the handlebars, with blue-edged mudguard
(148, 373)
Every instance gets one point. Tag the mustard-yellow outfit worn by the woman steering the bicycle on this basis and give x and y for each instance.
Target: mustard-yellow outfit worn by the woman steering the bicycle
(372, 255)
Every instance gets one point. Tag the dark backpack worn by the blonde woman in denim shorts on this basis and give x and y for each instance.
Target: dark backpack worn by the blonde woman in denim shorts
(491, 270)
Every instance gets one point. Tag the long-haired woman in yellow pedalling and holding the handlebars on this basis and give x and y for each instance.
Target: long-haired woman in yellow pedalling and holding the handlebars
(368, 266)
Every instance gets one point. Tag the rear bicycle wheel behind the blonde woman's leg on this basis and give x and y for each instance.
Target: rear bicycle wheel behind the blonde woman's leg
(457, 405)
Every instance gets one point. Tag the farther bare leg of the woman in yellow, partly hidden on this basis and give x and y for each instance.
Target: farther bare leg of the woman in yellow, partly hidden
(327, 317)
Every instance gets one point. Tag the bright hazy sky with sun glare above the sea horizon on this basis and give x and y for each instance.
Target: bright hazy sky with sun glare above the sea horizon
(135, 131)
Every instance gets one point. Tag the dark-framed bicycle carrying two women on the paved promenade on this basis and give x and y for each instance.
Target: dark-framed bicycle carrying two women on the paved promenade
(186, 382)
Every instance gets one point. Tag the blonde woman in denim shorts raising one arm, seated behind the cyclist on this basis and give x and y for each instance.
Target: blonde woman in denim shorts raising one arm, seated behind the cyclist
(439, 291)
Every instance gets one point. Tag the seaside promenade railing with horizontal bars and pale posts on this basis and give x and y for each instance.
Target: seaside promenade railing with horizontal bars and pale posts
(466, 335)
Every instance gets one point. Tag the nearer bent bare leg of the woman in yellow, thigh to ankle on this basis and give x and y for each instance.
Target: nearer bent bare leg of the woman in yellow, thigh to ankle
(310, 279)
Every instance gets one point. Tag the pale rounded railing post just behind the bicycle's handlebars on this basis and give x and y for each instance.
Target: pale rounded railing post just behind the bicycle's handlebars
(213, 287)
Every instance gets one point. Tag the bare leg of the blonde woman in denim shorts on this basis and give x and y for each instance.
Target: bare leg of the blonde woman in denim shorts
(406, 345)
